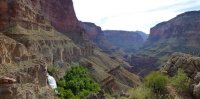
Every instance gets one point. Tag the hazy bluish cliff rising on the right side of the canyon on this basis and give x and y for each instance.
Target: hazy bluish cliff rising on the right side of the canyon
(180, 34)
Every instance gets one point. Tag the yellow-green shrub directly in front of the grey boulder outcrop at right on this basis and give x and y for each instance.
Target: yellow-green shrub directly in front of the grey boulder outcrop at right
(180, 81)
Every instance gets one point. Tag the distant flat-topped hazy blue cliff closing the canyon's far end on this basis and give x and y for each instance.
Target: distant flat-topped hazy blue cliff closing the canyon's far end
(127, 41)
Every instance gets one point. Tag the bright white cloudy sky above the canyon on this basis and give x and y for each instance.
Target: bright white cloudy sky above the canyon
(131, 15)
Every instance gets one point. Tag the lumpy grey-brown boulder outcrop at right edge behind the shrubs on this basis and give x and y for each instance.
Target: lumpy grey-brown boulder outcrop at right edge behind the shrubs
(190, 65)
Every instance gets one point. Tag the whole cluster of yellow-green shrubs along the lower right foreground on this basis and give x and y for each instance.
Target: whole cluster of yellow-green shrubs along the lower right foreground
(155, 84)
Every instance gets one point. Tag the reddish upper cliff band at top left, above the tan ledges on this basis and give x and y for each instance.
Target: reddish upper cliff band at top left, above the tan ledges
(39, 13)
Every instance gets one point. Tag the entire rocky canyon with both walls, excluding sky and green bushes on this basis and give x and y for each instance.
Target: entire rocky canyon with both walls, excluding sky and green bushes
(35, 34)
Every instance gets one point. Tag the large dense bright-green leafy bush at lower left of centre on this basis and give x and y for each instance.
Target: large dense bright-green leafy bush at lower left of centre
(77, 84)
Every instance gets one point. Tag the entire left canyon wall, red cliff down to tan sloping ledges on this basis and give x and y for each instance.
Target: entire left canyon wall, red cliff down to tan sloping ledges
(38, 33)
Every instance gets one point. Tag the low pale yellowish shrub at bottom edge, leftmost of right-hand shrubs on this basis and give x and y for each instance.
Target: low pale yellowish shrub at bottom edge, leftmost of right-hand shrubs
(140, 92)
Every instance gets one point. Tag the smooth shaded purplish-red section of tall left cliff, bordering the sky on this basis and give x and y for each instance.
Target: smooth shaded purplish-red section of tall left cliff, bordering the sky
(61, 14)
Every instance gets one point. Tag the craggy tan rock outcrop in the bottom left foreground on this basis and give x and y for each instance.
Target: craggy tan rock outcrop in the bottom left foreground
(28, 80)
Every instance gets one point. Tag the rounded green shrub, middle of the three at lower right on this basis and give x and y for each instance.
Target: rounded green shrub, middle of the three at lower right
(156, 82)
